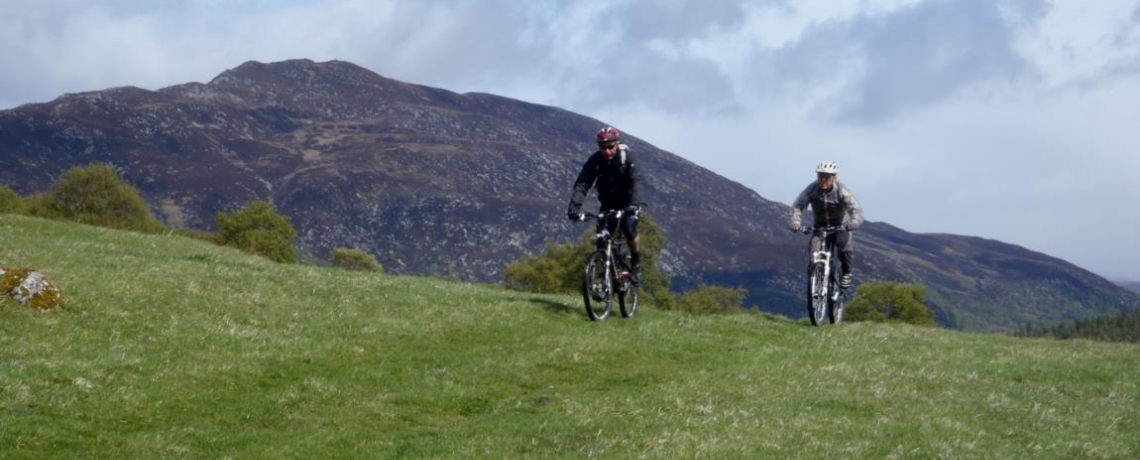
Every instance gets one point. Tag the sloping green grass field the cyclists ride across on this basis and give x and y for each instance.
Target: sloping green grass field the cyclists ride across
(172, 348)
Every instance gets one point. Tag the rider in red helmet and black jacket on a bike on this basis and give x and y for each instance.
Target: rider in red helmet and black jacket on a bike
(615, 174)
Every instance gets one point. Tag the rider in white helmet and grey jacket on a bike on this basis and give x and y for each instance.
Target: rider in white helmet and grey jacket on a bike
(833, 206)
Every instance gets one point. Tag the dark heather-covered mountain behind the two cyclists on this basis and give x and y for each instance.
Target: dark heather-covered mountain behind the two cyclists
(436, 183)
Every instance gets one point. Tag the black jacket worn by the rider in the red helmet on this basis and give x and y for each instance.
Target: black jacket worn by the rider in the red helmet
(618, 183)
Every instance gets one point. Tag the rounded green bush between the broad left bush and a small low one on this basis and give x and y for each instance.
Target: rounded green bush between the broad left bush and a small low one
(259, 229)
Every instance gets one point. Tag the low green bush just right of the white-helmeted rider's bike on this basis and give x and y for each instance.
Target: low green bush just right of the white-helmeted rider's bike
(891, 302)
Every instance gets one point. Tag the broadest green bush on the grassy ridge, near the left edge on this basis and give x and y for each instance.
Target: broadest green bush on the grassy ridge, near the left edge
(96, 195)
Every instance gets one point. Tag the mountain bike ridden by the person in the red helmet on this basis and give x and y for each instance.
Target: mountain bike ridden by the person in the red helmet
(608, 272)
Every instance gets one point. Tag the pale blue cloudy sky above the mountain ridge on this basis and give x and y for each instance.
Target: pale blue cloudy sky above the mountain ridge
(1007, 120)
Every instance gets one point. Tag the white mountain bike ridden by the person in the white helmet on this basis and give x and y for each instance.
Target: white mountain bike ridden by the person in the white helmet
(825, 297)
